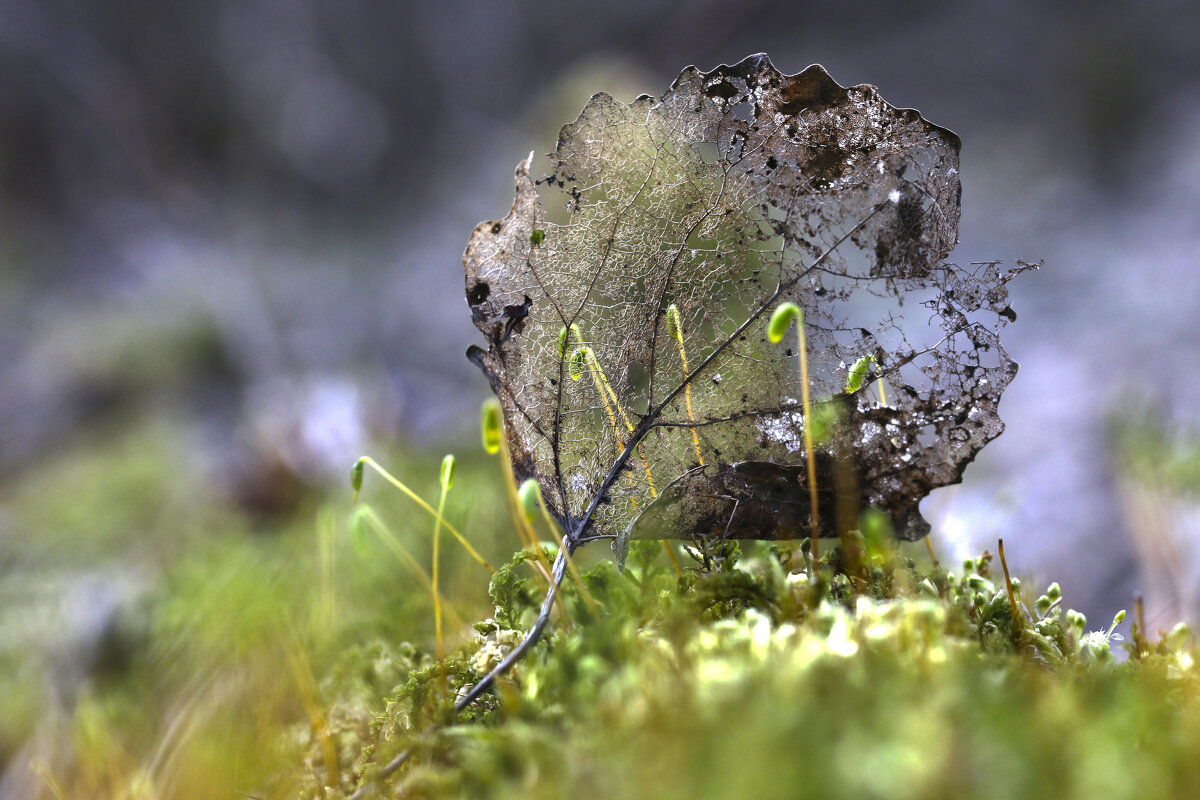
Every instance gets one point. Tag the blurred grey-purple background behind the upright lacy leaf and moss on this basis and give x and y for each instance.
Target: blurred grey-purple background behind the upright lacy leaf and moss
(230, 263)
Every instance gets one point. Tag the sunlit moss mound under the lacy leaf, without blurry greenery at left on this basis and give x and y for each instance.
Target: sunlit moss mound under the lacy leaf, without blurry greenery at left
(873, 679)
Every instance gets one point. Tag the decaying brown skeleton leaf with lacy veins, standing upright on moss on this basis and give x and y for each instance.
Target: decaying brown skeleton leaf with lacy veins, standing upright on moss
(625, 302)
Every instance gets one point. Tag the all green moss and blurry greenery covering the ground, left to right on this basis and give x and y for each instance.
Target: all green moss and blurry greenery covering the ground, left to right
(298, 657)
